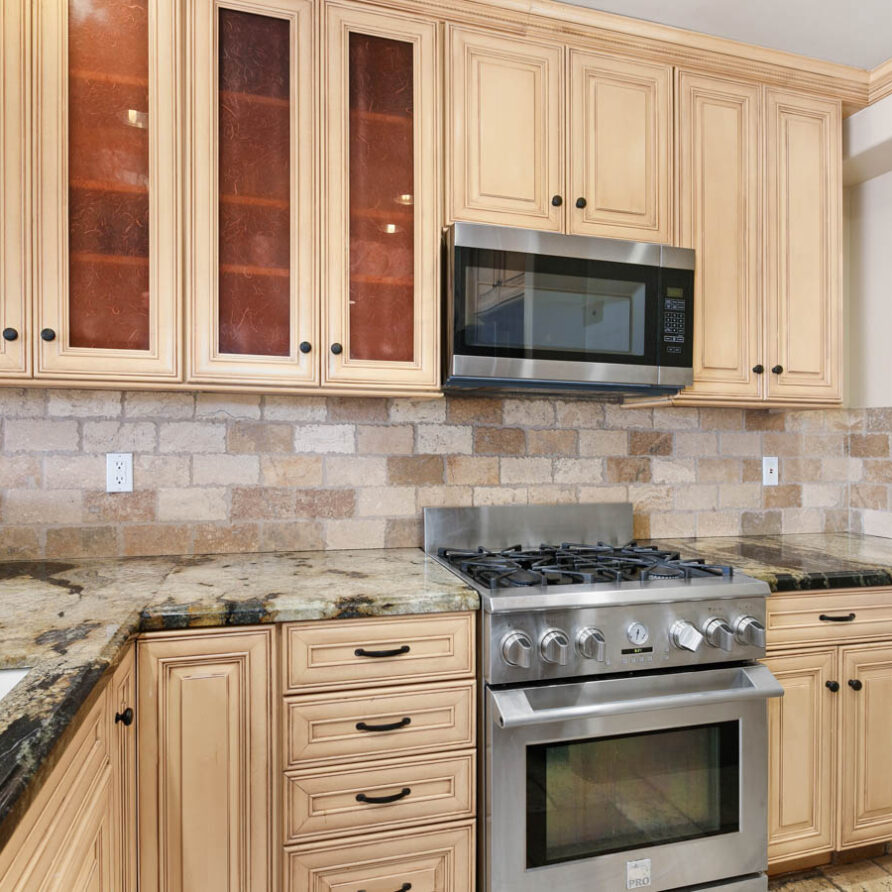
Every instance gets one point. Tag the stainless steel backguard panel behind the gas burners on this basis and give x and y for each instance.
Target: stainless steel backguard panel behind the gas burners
(501, 526)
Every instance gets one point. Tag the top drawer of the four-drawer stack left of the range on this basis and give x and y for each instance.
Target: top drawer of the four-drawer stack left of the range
(348, 653)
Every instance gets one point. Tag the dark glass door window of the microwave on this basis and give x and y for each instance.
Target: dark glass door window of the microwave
(541, 307)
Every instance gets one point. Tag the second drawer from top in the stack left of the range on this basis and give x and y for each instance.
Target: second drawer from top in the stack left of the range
(336, 728)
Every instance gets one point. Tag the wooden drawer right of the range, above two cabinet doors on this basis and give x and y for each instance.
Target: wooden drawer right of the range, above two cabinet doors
(849, 615)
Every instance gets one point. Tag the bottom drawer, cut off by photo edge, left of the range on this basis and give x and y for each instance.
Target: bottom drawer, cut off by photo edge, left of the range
(435, 861)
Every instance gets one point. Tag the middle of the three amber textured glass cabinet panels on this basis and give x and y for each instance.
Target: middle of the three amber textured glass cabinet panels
(255, 184)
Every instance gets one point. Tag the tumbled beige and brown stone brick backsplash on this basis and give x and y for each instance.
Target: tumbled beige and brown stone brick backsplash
(230, 473)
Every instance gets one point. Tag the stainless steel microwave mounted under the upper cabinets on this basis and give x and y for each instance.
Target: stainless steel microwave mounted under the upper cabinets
(529, 310)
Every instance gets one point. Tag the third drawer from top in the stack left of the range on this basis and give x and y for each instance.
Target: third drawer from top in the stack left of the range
(423, 790)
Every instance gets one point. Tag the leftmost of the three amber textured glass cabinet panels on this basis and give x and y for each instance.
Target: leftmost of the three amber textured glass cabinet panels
(108, 174)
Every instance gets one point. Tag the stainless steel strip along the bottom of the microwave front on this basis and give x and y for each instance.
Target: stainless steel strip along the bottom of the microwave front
(555, 371)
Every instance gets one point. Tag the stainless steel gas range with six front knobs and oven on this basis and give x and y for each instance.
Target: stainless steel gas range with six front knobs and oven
(623, 716)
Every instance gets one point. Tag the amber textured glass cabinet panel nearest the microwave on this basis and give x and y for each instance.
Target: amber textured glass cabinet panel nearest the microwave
(382, 189)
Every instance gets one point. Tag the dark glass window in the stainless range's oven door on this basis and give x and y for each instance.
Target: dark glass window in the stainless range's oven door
(610, 794)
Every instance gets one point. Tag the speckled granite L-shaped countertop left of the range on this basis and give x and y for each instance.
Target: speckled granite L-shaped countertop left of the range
(70, 620)
